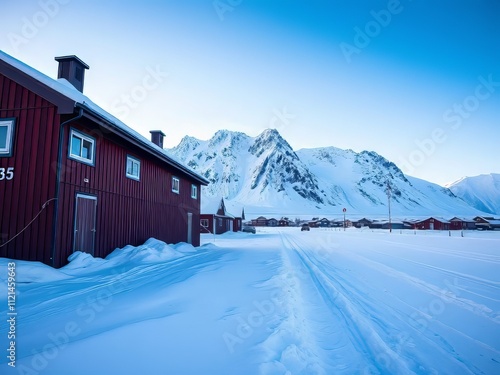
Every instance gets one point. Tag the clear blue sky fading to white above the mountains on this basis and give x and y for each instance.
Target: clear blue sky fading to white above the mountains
(416, 81)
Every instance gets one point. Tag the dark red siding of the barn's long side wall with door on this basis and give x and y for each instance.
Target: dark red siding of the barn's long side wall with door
(128, 211)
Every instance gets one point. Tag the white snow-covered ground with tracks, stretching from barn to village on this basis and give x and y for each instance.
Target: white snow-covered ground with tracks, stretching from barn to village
(281, 301)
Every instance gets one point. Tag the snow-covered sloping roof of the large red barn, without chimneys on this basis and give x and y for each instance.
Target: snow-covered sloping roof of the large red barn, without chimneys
(63, 87)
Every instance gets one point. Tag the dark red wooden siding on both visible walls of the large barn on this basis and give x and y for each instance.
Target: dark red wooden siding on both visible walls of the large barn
(128, 211)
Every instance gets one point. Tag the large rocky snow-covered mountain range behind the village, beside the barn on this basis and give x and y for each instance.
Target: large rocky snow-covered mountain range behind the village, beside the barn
(266, 176)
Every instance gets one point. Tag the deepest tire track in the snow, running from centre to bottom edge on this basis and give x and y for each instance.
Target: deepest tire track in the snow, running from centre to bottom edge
(359, 342)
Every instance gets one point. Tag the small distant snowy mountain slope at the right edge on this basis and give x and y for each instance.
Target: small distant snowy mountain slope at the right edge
(481, 192)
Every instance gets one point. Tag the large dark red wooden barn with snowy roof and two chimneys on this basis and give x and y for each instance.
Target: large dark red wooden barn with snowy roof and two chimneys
(75, 178)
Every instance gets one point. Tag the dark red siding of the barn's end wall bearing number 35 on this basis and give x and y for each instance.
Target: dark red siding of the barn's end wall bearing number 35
(34, 151)
